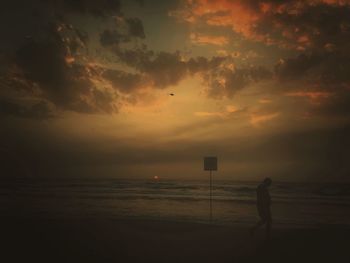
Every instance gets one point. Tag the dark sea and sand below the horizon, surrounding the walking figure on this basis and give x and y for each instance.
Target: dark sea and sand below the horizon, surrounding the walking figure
(168, 221)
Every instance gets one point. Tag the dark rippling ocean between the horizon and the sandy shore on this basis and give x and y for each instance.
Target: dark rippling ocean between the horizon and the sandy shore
(293, 204)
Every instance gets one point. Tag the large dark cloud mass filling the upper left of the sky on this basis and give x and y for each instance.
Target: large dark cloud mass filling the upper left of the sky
(46, 57)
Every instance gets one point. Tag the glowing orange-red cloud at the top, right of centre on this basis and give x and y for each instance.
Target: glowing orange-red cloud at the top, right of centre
(248, 17)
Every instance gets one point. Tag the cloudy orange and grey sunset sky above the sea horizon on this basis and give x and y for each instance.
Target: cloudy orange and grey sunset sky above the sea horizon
(263, 85)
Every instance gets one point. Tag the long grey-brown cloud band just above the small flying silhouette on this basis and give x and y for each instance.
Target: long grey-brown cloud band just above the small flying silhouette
(165, 69)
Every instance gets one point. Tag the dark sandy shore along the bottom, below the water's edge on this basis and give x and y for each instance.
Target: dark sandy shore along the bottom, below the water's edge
(90, 240)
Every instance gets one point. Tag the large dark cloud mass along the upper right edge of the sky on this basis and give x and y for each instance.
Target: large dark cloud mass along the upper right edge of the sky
(320, 30)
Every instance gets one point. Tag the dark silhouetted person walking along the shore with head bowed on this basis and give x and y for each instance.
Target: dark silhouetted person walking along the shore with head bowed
(263, 204)
